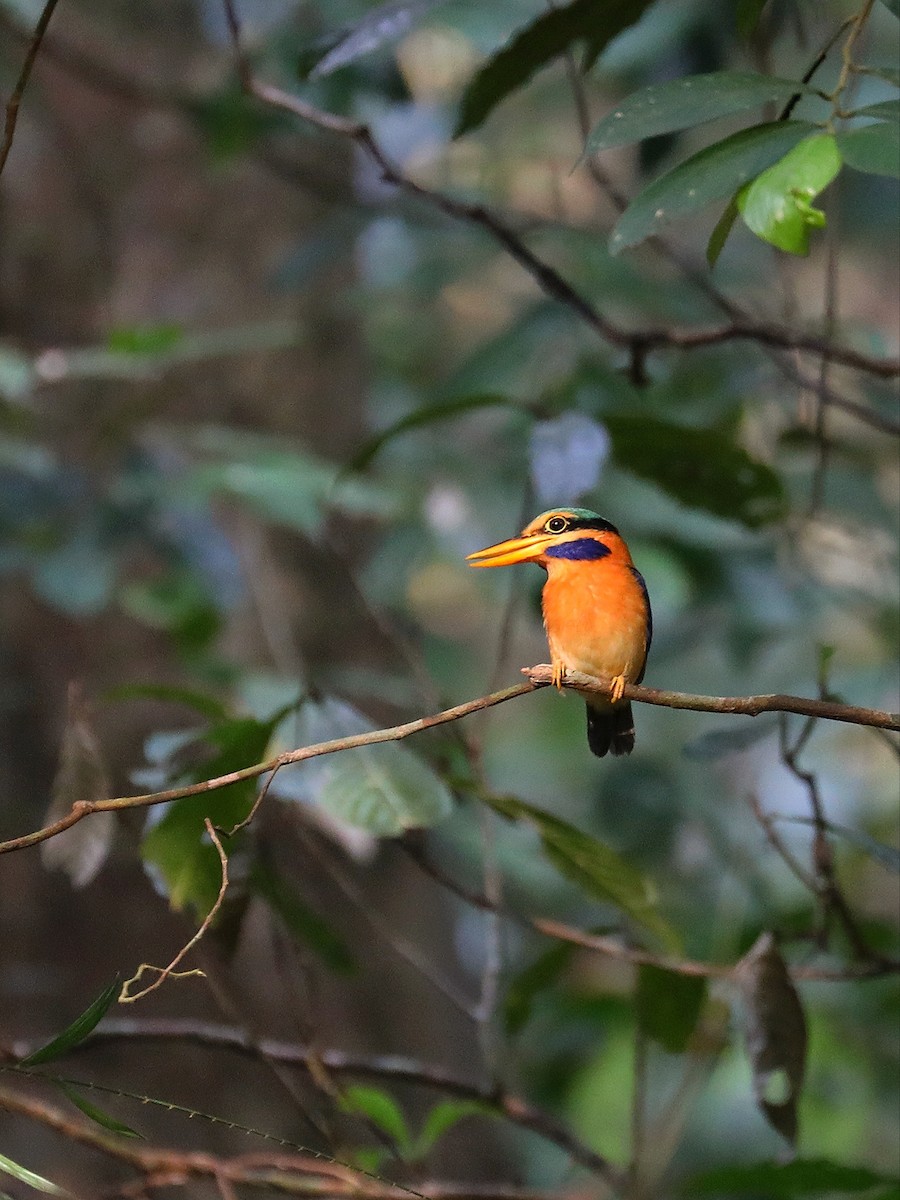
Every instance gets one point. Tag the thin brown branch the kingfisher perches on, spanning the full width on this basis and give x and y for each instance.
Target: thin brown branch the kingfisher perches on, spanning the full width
(539, 677)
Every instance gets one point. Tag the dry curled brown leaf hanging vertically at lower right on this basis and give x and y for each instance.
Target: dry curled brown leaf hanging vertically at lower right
(776, 1033)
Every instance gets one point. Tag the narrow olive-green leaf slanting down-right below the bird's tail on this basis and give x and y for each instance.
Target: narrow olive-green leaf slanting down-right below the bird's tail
(595, 867)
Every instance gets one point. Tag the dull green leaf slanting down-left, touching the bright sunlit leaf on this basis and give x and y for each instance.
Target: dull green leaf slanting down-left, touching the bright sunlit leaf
(713, 175)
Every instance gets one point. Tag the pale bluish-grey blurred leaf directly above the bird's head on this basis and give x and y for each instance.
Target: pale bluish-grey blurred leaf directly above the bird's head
(568, 455)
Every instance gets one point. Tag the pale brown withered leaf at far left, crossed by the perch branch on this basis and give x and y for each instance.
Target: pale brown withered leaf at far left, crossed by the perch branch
(81, 776)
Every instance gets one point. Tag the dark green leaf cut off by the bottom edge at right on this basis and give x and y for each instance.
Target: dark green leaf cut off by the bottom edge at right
(802, 1178)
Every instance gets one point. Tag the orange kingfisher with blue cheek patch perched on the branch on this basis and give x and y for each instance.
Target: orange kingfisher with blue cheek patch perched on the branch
(597, 611)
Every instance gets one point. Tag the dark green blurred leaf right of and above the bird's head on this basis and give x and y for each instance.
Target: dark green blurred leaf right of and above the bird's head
(700, 469)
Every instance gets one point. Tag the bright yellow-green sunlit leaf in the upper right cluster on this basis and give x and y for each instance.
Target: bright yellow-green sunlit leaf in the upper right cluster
(777, 205)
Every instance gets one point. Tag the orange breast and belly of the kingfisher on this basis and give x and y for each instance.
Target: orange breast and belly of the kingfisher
(596, 614)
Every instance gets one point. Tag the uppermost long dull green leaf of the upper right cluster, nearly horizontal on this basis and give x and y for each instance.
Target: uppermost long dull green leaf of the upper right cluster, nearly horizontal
(682, 104)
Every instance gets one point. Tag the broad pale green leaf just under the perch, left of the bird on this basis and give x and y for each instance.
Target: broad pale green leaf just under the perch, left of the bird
(385, 789)
